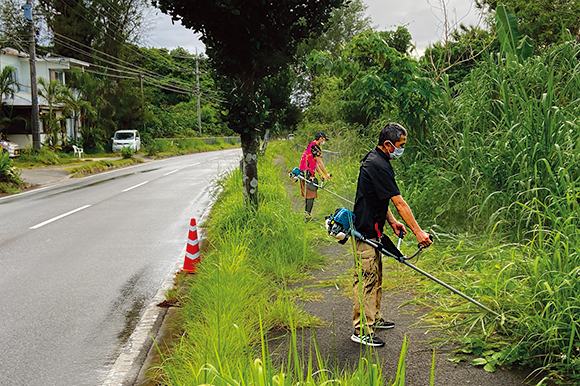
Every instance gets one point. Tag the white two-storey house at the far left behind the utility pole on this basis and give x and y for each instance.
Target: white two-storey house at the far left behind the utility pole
(49, 68)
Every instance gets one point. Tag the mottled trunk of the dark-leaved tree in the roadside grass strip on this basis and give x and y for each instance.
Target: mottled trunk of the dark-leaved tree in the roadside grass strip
(250, 146)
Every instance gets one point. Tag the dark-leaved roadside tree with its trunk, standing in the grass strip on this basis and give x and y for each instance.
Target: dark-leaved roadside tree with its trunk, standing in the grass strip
(248, 43)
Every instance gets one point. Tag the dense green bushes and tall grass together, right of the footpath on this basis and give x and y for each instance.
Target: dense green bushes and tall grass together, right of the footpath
(497, 161)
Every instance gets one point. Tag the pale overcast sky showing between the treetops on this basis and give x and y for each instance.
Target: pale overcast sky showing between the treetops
(423, 17)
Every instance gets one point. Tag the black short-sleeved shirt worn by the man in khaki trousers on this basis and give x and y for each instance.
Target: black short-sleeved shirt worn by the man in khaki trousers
(375, 187)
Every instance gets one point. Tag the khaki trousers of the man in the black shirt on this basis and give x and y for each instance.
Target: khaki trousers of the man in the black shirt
(369, 265)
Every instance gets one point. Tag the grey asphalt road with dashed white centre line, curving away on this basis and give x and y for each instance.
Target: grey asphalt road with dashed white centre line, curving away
(80, 259)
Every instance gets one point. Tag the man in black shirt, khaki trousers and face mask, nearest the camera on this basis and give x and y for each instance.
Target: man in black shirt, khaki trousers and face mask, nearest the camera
(376, 186)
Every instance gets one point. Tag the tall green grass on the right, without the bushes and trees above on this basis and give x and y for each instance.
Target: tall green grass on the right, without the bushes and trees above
(498, 184)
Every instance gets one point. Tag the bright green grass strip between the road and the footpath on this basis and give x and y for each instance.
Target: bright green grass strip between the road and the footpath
(239, 295)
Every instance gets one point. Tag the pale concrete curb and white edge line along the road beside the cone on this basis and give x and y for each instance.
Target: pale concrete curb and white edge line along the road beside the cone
(132, 363)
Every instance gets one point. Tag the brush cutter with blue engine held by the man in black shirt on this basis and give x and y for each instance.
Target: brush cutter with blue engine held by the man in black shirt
(340, 226)
